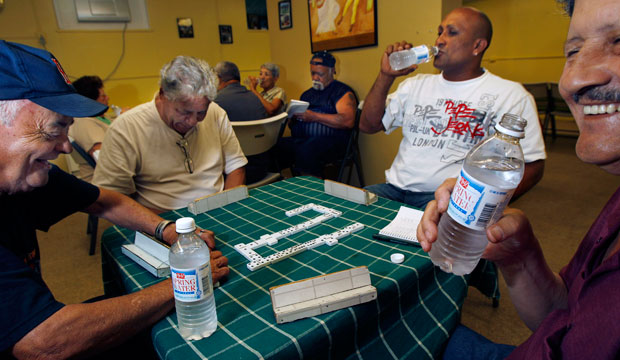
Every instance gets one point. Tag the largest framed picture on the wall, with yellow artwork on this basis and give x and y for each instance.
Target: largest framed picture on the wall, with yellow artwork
(342, 24)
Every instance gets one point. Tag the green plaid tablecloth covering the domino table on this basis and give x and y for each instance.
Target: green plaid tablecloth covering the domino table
(417, 304)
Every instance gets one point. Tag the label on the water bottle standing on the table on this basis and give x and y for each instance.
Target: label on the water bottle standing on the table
(191, 284)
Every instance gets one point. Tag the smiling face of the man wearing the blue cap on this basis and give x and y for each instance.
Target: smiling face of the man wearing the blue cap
(35, 136)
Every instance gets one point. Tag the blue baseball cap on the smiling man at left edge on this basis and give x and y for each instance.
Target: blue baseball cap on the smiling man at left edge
(36, 75)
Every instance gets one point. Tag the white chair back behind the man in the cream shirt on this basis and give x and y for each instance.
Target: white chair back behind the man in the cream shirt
(257, 137)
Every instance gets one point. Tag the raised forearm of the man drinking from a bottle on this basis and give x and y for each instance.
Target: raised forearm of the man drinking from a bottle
(374, 104)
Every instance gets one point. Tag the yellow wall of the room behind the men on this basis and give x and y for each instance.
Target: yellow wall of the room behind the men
(526, 47)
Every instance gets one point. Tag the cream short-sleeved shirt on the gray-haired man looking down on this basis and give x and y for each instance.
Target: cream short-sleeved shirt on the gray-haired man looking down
(140, 155)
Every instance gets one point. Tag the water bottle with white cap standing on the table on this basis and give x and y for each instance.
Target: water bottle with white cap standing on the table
(190, 268)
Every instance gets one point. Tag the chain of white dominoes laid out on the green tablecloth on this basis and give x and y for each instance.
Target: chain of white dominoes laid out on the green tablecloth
(256, 261)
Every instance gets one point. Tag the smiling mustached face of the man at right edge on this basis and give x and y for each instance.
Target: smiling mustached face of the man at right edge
(590, 83)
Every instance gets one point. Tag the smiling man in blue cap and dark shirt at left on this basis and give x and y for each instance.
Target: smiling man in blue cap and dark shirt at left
(37, 106)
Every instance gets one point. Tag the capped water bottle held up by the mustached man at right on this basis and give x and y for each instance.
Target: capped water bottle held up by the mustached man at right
(491, 172)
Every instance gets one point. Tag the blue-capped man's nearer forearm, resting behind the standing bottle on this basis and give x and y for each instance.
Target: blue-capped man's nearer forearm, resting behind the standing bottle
(87, 329)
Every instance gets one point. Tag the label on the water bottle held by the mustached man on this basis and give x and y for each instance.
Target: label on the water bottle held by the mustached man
(475, 204)
